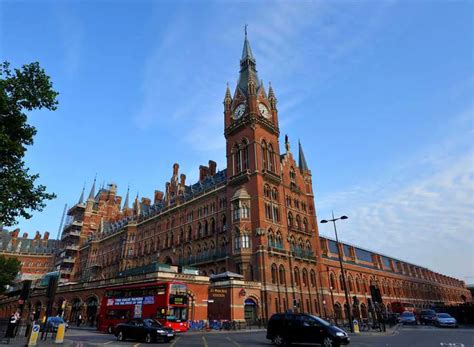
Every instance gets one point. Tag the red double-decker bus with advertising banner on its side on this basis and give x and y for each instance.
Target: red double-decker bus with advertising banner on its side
(166, 302)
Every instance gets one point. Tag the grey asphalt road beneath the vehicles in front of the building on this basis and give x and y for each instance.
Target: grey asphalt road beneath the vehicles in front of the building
(418, 336)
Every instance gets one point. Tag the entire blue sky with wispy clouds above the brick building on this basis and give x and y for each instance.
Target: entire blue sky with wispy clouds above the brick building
(380, 93)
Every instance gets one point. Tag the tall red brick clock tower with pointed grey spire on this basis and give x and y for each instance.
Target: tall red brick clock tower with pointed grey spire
(253, 165)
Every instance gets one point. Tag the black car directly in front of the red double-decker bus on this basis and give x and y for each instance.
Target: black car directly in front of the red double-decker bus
(143, 329)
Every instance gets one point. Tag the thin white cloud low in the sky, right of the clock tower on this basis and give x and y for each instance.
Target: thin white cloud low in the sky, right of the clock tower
(425, 216)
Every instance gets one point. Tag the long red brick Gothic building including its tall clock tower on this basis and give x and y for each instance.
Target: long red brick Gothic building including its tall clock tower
(256, 219)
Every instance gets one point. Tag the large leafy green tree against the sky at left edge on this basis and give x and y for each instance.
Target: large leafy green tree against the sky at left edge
(25, 89)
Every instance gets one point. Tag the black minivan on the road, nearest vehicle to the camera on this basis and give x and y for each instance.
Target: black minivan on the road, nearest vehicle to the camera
(286, 328)
